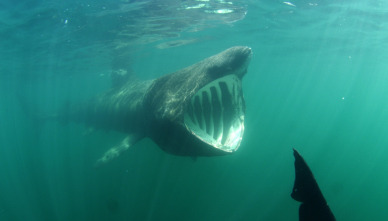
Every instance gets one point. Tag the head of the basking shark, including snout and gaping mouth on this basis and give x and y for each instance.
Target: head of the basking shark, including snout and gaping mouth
(200, 109)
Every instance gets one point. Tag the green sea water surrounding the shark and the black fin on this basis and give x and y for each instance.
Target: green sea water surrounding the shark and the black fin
(317, 82)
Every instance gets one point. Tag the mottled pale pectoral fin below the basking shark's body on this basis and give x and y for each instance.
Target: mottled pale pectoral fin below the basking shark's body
(116, 151)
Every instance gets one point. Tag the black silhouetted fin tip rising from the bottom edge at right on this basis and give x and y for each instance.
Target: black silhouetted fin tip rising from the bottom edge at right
(306, 190)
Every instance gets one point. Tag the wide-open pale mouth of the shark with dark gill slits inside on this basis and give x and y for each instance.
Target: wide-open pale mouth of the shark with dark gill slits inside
(216, 113)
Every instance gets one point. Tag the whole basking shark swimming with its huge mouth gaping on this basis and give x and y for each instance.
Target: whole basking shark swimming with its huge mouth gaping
(196, 111)
